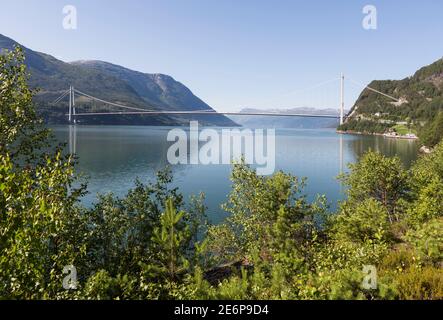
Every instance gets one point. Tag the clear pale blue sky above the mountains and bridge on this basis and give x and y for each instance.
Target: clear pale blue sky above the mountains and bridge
(240, 53)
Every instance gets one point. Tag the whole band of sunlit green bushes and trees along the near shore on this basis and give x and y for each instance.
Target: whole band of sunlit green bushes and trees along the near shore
(276, 244)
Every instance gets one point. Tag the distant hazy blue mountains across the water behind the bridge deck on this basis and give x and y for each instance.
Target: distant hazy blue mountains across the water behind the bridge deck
(287, 122)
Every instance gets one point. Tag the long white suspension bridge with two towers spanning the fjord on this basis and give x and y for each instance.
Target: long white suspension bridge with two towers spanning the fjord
(122, 109)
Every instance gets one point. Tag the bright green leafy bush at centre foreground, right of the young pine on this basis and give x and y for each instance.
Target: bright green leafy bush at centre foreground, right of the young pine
(267, 213)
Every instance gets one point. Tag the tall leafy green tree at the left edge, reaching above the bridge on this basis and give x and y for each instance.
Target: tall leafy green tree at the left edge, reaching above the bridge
(38, 209)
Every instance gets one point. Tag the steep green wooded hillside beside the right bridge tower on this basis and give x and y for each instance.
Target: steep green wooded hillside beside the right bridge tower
(419, 107)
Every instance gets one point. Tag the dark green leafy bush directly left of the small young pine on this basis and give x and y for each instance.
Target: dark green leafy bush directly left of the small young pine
(120, 230)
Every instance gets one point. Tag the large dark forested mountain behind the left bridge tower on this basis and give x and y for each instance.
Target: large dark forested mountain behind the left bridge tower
(111, 83)
